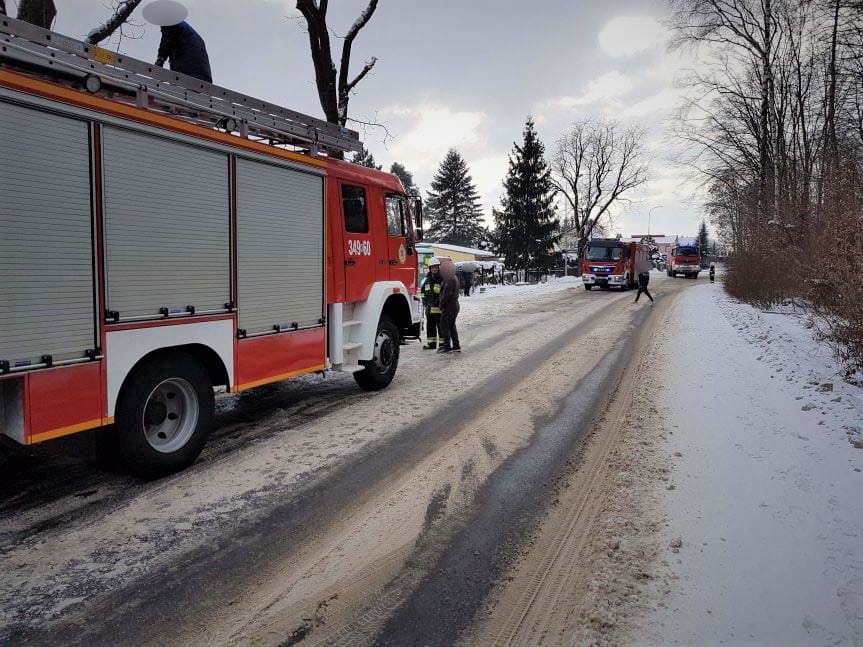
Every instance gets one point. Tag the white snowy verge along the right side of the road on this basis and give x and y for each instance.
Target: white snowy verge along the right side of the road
(766, 444)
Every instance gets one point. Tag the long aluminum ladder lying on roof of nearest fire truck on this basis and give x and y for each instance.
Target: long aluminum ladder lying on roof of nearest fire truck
(29, 47)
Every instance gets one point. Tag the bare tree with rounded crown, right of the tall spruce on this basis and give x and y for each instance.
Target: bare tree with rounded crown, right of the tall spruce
(596, 164)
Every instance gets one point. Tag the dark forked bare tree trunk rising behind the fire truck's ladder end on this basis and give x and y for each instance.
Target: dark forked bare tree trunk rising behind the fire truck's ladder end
(334, 94)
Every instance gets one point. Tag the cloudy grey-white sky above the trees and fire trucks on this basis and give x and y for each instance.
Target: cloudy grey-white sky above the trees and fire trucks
(462, 73)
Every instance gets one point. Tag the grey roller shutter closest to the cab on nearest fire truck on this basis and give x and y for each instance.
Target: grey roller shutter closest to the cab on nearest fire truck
(280, 230)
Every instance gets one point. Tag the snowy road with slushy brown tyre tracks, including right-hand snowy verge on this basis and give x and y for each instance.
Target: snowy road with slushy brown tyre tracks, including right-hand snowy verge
(716, 501)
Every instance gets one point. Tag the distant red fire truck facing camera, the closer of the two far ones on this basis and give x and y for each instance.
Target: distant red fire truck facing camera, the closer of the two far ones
(610, 262)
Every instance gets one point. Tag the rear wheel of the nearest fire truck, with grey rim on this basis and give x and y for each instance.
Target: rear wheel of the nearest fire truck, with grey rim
(164, 415)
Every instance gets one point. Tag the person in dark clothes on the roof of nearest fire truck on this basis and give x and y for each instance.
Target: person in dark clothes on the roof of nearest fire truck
(181, 45)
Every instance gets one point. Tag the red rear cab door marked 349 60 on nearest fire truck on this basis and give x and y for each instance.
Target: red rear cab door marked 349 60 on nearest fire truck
(358, 241)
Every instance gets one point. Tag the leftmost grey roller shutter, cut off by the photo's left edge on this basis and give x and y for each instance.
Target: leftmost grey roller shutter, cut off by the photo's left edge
(46, 261)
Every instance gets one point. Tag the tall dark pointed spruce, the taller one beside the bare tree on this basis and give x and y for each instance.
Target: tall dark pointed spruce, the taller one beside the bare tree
(527, 226)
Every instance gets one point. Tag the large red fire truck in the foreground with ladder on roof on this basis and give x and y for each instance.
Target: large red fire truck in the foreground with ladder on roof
(162, 236)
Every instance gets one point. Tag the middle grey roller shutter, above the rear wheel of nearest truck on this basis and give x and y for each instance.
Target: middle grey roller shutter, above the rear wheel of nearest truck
(166, 225)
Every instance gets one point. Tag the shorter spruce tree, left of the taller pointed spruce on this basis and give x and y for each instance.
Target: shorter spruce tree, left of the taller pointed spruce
(453, 211)
